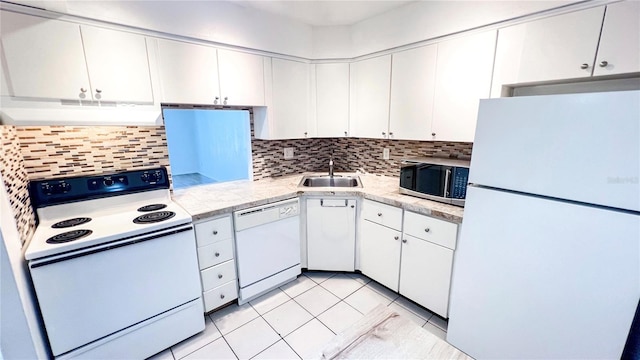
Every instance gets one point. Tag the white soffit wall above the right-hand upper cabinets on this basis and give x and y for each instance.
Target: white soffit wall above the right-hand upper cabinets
(429, 19)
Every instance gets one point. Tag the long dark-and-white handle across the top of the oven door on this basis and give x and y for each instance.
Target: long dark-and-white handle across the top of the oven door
(108, 246)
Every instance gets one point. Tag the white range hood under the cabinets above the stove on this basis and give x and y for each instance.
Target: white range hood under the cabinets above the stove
(74, 115)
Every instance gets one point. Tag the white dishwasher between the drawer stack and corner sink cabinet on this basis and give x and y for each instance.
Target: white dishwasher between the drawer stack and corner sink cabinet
(267, 247)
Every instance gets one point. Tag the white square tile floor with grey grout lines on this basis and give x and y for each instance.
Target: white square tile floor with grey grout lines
(296, 320)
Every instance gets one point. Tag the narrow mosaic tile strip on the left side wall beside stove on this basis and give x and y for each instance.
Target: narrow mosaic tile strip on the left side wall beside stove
(16, 181)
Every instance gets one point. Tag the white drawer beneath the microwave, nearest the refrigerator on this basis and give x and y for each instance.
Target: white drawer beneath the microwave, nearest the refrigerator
(431, 229)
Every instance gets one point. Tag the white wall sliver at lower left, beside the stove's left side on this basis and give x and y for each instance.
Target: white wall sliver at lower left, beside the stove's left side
(21, 336)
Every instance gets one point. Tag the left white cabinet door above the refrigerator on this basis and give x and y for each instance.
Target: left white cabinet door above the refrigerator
(558, 47)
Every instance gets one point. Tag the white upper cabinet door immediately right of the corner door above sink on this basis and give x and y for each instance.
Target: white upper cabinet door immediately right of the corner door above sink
(370, 85)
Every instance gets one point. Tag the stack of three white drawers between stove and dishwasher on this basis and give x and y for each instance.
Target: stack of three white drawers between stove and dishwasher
(216, 261)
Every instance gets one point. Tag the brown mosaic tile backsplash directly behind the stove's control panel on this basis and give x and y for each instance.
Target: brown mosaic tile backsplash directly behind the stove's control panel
(59, 151)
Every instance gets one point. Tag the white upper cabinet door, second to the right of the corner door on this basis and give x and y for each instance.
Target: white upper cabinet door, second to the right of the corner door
(412, 87)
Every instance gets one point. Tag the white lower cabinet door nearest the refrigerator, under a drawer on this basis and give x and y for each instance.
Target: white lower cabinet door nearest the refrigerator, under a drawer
(425, 274)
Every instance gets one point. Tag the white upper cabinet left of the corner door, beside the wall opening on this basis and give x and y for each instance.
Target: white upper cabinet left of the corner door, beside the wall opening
(288, 114)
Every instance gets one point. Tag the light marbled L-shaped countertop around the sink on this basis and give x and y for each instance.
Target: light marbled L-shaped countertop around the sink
(203, 201)
